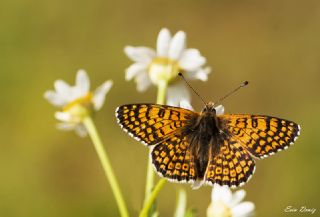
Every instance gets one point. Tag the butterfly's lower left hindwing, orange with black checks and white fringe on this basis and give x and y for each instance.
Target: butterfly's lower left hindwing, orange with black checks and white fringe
(172, 159)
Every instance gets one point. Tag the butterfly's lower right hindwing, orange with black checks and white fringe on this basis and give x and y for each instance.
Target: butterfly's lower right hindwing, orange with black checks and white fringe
(231, 166)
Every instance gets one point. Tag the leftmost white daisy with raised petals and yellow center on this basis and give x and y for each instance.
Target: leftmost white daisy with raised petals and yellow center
(76, 101)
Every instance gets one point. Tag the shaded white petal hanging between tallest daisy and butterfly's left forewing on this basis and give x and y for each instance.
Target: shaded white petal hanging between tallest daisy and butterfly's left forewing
(176, 93)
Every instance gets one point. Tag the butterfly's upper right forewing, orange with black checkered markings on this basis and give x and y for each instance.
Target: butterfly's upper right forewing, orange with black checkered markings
(261, 135)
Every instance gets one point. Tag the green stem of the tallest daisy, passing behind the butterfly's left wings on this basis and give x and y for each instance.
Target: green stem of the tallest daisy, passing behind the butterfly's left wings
(161, 98)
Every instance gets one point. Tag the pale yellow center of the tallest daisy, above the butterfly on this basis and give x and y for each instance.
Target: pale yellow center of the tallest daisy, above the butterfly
(163, 69)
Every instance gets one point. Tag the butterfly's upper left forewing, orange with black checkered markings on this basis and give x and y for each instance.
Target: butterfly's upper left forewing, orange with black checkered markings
(152, 123)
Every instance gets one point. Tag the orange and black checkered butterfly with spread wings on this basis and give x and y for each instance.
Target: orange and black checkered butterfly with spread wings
(205, 147)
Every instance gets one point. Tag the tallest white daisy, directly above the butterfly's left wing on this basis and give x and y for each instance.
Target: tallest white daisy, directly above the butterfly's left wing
(164, 64)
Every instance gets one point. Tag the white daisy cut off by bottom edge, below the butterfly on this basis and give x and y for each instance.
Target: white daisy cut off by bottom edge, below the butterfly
(224, 203)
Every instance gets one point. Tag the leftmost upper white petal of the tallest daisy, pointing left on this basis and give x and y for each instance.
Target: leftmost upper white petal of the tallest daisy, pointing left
(140, 54)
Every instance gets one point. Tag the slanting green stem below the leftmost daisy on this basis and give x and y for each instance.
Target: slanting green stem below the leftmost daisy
(104, 160)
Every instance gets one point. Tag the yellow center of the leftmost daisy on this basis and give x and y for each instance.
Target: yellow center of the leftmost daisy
(79, 108)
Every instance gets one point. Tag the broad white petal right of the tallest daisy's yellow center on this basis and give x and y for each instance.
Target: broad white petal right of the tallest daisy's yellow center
(191, 60)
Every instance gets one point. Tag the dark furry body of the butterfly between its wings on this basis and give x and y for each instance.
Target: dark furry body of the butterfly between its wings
(202, 137)
